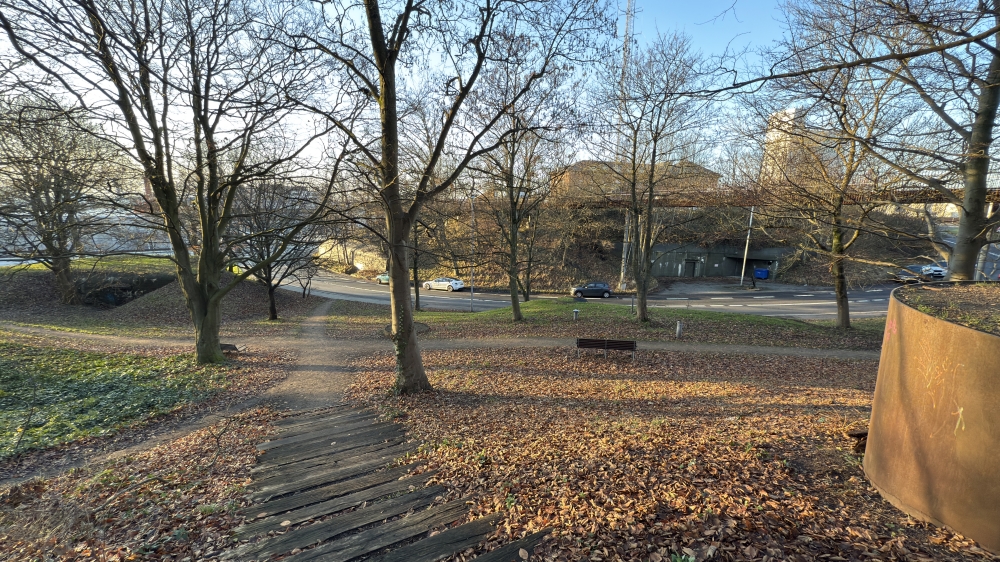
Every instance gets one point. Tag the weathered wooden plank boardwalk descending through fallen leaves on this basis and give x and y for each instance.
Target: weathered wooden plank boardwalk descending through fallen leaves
(323, 490)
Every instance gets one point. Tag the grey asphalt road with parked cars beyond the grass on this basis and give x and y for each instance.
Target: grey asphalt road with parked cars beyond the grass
(768, 301)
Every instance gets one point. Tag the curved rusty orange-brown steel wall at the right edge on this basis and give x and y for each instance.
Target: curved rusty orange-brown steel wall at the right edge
(934, 439)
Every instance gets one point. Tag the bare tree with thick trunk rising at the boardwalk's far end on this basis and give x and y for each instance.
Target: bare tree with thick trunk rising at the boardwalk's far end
(384, 49)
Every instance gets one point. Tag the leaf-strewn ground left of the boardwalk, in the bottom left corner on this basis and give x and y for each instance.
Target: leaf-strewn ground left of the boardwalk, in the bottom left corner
(172, 502)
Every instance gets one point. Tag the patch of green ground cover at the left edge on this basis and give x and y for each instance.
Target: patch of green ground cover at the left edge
(54, 396)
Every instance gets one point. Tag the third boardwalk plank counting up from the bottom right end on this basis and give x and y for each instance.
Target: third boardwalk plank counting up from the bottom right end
(377, 538)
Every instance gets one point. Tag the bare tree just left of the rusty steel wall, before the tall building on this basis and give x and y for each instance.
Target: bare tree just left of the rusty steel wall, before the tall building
(816, 175)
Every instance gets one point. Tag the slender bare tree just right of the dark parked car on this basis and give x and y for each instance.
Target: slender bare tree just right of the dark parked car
(644, 121)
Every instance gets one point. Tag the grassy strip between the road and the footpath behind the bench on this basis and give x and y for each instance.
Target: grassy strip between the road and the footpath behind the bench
(554, 318)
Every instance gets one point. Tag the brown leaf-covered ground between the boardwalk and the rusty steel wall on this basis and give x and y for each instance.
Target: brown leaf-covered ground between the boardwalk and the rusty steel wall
(718, 457)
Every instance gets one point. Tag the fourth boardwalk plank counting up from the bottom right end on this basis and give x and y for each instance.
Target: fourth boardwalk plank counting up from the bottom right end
(326, 530)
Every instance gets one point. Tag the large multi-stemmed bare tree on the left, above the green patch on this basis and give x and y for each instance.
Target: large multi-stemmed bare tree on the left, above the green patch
(188, 88)
